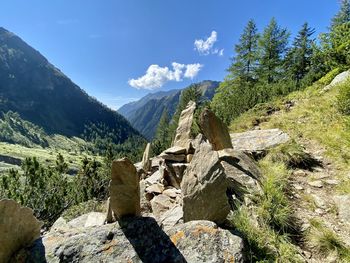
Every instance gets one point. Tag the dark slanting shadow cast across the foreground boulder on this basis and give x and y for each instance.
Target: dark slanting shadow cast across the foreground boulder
(150, 242)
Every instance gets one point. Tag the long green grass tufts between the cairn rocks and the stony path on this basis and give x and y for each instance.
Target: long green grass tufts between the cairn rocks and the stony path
(268, 227)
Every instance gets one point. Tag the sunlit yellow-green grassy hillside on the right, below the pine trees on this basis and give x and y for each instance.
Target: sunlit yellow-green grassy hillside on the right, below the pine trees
(314, 122)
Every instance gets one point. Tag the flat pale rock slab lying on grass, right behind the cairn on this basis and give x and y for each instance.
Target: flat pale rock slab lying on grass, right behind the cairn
(258, 140)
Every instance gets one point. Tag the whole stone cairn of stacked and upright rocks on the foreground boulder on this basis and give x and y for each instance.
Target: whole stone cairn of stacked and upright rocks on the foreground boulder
(196, 179)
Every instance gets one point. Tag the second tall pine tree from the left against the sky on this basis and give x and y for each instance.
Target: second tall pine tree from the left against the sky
(272, 47)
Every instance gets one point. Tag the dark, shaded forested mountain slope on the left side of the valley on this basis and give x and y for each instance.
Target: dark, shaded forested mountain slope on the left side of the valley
(43, 95)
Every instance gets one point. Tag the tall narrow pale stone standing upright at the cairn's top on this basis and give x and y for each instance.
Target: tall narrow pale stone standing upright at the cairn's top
(183, 131)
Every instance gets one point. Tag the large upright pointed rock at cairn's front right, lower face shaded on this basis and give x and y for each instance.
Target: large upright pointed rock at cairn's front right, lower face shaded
(204, 187)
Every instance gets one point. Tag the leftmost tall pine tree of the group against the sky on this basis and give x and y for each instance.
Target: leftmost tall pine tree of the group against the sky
(245, 61)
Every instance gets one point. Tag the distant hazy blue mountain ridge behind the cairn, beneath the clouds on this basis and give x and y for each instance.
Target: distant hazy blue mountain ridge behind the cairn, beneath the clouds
(145, 113)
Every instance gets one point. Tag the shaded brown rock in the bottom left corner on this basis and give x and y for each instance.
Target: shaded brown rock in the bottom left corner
(18, 228)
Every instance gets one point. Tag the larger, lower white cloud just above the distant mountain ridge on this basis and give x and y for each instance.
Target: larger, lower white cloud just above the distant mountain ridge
(157, 76)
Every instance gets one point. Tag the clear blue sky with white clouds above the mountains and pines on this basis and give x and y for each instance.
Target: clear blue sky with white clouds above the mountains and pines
(107, 46)
